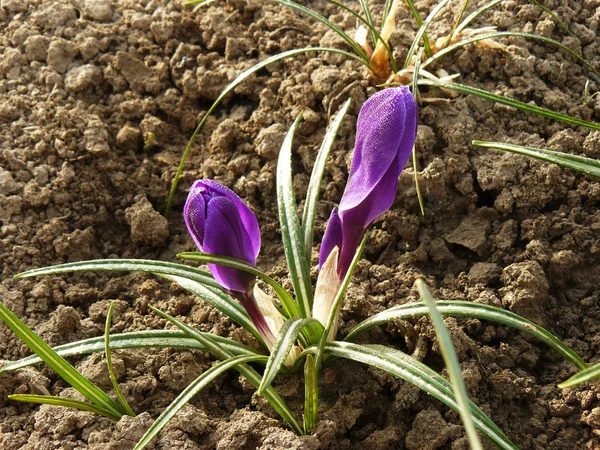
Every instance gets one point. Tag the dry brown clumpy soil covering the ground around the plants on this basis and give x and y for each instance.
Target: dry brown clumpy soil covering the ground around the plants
(97, 101)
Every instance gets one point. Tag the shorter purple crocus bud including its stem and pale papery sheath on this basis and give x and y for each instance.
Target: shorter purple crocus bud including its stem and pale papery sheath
(221, 224)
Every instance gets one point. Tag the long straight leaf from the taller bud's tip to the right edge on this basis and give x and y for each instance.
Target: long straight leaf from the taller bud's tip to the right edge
(464, 89)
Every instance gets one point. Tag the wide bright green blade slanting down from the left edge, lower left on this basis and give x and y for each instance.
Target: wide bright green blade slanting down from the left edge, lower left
(65, 370)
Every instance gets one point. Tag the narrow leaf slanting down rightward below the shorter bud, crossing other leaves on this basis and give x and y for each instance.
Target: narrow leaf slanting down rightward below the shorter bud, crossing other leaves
(270, 394)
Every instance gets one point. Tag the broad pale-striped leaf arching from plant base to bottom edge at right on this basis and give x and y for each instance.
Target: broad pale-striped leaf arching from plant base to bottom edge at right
(418, 374)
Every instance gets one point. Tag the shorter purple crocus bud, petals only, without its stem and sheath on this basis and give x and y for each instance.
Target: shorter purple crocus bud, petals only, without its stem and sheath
(220, 223)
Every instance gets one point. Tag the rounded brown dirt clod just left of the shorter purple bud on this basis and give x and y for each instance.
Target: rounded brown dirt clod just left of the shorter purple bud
(148, 226)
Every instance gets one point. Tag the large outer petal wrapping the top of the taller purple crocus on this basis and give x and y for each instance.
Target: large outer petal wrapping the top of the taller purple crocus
(385, 135)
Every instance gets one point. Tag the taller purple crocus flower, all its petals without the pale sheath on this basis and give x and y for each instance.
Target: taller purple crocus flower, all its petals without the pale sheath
(385, 135)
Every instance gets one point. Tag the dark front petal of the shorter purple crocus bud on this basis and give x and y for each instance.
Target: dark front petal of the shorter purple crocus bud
(224, 235)
